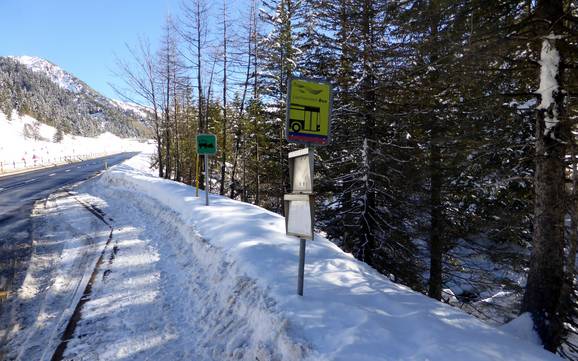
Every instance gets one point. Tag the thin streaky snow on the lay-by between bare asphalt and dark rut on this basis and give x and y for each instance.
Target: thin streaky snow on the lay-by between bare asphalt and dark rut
(67, 241)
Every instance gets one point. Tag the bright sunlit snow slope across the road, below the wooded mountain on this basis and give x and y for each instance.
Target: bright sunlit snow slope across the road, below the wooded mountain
(18, 151)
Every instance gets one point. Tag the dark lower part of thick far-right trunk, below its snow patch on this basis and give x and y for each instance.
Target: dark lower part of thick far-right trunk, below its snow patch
(546, 275)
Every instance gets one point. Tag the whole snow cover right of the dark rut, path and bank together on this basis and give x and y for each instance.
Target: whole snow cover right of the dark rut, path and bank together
(218, 282)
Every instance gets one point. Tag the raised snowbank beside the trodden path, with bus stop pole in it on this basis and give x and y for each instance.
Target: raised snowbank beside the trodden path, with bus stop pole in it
(349, 311)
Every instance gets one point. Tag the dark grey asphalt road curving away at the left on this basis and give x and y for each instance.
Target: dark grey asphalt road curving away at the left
(18, 193)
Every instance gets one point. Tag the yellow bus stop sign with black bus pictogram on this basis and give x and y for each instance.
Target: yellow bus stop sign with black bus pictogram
(308, 111)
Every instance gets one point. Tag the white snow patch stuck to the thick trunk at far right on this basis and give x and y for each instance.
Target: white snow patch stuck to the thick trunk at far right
(549, 63)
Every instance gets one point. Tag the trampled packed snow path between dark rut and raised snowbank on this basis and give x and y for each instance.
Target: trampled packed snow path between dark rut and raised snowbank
(157, 302)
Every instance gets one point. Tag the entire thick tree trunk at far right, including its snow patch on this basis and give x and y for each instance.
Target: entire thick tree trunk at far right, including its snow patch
(546, 276)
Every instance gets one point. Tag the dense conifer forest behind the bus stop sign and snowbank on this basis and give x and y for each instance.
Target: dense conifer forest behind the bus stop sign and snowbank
(452, 163)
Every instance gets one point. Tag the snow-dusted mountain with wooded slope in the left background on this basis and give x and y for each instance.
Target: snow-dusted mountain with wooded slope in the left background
(41, 89)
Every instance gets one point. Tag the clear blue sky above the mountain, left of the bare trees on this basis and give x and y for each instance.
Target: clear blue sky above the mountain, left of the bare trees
(81, 36)
